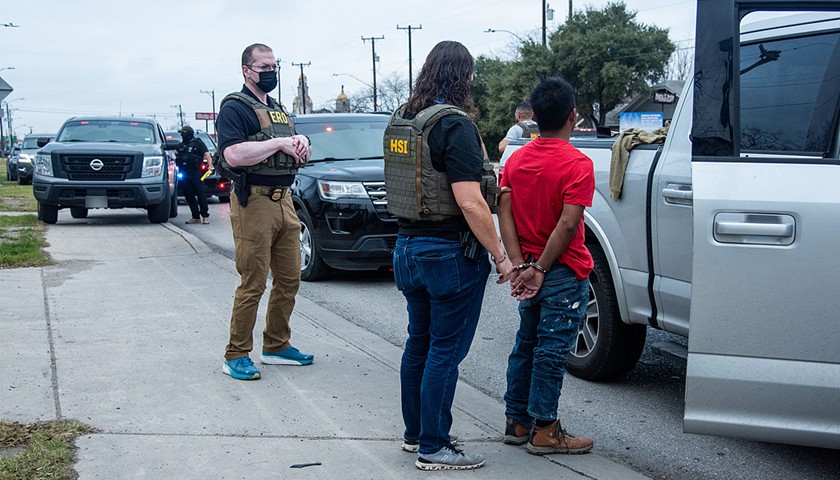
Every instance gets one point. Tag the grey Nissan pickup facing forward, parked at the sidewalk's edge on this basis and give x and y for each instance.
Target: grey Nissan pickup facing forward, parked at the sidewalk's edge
(106, 162)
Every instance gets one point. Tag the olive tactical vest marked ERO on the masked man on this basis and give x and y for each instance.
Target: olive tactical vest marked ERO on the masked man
(274, 123)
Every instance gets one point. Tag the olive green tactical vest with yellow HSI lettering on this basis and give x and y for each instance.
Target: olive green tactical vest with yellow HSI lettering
(416, 191)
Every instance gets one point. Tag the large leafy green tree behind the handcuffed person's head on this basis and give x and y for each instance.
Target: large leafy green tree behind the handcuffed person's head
(608, 56)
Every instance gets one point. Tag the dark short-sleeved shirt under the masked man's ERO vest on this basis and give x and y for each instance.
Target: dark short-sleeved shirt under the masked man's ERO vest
(236, 122)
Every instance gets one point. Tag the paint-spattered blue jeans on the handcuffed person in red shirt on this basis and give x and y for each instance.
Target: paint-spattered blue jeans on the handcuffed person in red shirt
(547, 330)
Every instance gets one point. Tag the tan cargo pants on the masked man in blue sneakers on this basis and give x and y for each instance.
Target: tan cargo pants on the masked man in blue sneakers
(266, 235)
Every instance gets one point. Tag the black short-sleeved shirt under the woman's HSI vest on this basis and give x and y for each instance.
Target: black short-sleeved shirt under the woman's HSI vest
(455, 147)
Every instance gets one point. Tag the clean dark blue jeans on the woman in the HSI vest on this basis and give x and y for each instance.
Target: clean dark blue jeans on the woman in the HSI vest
(444, 292)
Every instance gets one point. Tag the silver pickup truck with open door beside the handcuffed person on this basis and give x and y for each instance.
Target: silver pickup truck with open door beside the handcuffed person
(727, 233)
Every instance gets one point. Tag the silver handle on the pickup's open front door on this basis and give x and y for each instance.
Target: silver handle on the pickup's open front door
(749, 228)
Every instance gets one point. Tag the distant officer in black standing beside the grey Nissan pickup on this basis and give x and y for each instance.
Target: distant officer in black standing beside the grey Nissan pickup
(189, 157)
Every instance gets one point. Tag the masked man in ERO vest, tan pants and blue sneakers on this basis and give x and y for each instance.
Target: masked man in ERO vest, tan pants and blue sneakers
(261, 154)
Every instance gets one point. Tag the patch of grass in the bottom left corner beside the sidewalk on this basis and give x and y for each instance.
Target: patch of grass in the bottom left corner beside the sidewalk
(48, 450)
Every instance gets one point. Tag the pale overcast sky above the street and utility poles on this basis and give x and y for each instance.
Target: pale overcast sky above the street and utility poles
(105, 57)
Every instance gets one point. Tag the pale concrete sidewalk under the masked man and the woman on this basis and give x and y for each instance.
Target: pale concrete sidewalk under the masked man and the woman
(126, 333)
